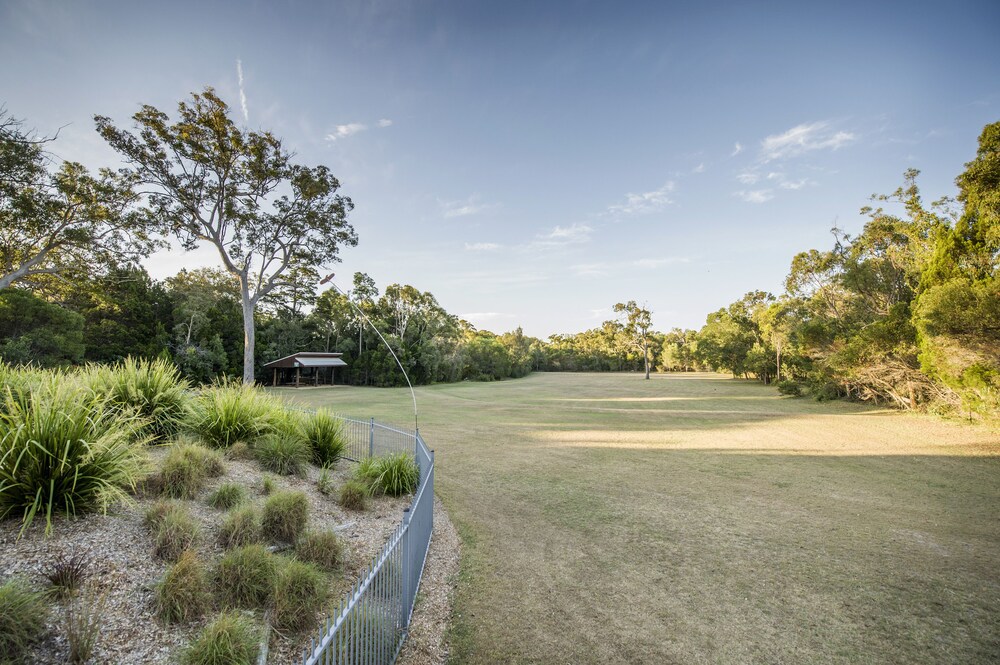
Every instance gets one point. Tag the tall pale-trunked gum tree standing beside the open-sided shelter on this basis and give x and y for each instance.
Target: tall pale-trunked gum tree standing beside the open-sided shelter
(237, 190)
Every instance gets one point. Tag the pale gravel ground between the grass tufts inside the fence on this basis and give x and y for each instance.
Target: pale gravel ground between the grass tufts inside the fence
(123, 567)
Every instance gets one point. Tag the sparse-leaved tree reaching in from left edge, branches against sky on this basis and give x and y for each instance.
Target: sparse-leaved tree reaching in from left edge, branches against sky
(61, 220)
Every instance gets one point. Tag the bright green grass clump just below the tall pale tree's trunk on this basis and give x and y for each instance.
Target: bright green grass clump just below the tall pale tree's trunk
(225, 414)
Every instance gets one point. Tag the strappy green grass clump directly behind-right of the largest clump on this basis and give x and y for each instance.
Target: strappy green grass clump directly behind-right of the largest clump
(154, 389)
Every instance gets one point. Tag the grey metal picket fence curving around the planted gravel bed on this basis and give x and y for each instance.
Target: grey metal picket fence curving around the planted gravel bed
(370, 624)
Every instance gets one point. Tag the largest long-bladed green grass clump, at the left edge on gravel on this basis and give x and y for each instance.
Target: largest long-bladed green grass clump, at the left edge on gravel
(62, 450)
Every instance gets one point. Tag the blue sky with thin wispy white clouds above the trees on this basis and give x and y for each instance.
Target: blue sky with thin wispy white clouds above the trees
(532, 163)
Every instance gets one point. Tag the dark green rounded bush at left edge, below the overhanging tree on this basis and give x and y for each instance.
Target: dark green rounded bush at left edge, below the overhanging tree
(38, 332)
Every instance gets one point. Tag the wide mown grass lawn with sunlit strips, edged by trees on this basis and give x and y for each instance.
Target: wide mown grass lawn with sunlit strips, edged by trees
(697, 519)
